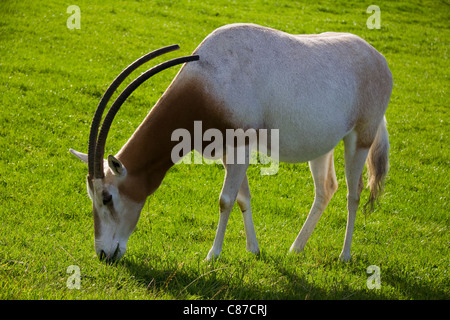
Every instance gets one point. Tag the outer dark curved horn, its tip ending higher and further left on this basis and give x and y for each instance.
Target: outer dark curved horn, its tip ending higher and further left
(107, 96)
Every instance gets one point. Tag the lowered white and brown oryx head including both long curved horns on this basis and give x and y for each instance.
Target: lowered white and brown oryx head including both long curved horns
(115, 212)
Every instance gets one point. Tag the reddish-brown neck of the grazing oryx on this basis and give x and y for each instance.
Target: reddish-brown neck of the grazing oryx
(147, 154)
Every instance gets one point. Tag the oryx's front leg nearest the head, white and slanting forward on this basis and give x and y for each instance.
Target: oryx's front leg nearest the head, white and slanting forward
(234, 177)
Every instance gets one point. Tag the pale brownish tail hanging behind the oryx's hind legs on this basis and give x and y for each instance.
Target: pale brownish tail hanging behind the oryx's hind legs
(378, 164)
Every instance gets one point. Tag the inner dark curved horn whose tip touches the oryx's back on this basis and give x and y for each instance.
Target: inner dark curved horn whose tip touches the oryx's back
(100, 147)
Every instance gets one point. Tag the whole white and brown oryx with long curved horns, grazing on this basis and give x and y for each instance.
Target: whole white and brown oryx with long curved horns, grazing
(316, 89)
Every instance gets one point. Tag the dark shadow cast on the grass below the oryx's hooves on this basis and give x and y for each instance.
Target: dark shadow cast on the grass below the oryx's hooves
(226, 279)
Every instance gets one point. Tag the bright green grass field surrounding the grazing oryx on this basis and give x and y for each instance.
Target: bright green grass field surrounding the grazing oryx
(51, 79)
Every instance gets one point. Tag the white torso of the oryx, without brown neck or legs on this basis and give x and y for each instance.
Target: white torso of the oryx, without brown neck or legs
(309, 87)
